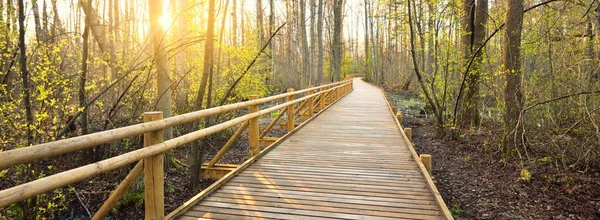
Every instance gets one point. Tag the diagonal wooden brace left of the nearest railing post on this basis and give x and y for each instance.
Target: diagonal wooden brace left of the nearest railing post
(123, 187)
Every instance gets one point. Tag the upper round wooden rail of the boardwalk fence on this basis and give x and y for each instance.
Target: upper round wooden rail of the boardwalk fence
(60, 147)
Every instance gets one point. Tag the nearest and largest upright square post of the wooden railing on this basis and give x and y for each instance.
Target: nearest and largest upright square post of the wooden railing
(154, 172)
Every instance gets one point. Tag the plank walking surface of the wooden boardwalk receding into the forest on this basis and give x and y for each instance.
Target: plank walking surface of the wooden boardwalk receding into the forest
(350, 162)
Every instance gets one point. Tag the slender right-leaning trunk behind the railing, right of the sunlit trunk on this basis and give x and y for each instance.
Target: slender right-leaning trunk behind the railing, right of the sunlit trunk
(197, 146)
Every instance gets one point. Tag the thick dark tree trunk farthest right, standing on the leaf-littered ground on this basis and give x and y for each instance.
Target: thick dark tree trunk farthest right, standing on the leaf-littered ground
(513, 95)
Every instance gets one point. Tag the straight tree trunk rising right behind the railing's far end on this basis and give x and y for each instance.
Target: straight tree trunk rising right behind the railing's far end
(338, 21)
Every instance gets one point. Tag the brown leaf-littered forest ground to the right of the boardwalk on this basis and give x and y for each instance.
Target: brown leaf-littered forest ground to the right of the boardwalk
(476, 184)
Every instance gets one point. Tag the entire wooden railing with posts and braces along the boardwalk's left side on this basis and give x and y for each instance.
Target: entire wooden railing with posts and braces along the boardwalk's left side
(150, 158)
